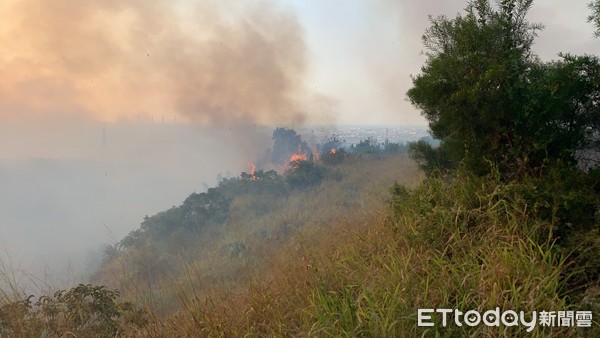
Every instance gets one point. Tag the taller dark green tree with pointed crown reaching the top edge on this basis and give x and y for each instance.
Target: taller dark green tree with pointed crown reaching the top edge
(470, 87)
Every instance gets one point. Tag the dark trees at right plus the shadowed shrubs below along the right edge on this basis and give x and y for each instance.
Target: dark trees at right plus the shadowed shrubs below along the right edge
(497, 108)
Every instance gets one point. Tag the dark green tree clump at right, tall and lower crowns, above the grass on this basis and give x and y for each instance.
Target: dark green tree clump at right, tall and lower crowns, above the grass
(490, 100)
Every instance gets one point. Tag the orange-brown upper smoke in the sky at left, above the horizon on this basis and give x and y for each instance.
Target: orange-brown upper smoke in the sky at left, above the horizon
(211, 62)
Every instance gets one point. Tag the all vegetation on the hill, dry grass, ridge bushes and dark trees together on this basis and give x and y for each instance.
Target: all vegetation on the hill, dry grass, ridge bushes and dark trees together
(507, 215)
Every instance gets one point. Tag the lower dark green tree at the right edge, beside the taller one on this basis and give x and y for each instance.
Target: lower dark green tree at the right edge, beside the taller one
(562, 114)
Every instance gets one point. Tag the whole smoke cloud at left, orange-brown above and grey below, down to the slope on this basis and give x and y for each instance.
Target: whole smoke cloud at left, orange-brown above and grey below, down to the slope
(82, 82)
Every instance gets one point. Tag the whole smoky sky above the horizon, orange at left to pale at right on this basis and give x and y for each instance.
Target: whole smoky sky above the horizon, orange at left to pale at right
(224, 62)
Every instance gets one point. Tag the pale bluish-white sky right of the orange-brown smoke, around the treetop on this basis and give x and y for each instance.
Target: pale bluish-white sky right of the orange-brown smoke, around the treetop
(363, 53)
